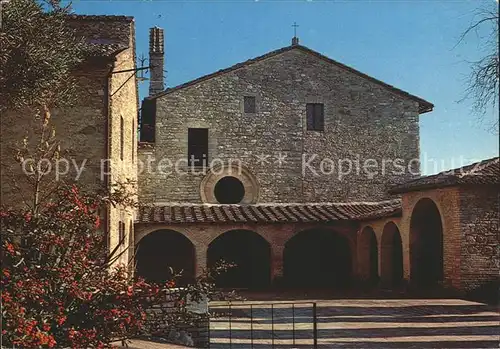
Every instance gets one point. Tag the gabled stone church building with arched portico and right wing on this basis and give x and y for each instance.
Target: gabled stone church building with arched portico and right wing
(304, 172)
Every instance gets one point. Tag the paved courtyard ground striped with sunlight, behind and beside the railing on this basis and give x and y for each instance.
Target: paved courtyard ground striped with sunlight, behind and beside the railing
(358, 323)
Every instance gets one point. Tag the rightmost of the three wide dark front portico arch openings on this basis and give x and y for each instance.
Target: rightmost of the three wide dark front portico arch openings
(317, 258)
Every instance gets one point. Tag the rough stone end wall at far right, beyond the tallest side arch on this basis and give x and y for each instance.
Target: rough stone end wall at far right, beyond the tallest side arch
(479, 220)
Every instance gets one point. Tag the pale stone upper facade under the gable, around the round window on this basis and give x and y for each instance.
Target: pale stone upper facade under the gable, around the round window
(363, 120)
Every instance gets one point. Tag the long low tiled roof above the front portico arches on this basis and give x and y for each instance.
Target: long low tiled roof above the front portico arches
(267, 213)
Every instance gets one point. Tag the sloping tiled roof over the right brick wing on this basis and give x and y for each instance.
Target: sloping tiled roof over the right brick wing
(483, 172)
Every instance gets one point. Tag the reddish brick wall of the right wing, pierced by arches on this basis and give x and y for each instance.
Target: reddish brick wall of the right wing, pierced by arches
(471, 235)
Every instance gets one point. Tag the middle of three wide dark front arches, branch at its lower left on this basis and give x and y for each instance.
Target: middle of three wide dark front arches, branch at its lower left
(251, 255)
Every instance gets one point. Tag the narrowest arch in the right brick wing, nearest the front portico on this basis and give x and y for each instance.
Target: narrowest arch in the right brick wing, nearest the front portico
(368, 252)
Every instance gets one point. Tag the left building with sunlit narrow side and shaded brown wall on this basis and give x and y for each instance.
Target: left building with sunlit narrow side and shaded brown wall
(100, 130)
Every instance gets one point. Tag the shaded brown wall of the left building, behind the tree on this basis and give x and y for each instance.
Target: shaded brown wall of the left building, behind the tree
(80, 131)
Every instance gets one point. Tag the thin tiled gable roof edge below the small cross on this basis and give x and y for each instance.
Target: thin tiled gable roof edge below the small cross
(424, 106)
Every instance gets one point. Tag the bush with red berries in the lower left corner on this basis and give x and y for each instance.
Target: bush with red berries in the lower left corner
(58, 289)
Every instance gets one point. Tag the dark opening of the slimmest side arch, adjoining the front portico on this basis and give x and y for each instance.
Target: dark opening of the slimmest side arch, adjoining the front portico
(369, 255)
